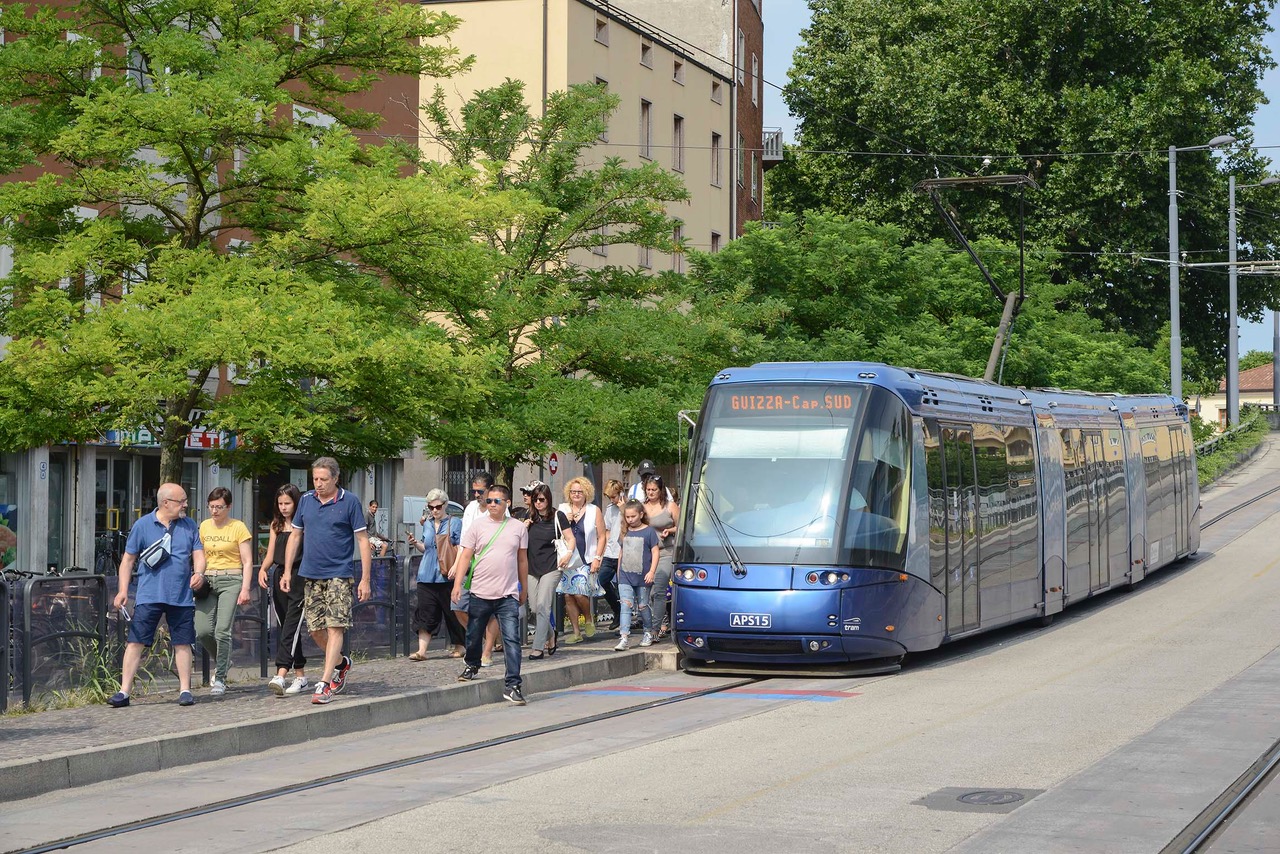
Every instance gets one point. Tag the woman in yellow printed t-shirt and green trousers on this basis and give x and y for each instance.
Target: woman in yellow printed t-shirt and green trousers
(228, 572)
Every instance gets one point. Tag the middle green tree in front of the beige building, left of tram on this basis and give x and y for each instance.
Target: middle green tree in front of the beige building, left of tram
(596, 360)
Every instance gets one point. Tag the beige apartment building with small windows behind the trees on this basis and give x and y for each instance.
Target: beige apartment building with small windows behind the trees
(675, 104)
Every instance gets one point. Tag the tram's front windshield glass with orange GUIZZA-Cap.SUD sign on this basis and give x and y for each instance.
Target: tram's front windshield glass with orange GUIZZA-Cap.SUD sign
(801, 474)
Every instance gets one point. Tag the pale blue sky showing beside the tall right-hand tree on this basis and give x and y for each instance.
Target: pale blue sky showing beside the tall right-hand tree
(784, 20)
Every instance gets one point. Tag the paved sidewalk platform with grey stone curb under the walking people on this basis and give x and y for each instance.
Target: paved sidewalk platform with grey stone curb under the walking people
(47, 752)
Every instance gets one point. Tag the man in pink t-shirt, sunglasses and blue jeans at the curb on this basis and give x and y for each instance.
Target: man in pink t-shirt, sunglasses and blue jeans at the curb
(495, 564)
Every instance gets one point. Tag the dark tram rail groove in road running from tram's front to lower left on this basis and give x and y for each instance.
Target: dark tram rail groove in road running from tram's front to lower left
(372, 770)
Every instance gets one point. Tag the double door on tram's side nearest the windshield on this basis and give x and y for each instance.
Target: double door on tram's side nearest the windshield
(962, 496)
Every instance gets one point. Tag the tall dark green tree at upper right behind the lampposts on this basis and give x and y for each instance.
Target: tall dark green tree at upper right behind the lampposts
(890, 94)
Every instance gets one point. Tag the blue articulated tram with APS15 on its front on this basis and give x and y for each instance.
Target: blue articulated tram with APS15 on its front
(842, 515)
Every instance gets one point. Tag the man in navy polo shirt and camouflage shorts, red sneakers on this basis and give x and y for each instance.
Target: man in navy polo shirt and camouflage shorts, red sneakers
(332, 523)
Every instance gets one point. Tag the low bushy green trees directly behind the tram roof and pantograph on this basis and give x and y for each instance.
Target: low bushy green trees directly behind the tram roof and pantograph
(849, 290)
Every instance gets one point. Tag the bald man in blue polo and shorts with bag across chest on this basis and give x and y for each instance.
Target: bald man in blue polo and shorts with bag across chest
(166, 547)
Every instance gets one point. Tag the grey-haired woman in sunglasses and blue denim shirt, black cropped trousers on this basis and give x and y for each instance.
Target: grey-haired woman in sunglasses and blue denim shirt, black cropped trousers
(441, 536)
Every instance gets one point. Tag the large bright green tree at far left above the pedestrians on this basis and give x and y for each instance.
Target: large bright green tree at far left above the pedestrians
(171, 231)
